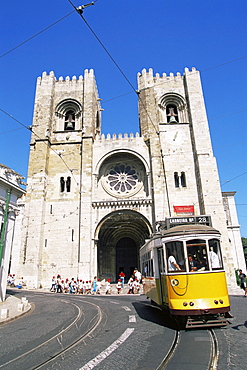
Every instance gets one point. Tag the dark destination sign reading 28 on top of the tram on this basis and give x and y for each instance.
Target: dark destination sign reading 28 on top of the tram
(184, 220)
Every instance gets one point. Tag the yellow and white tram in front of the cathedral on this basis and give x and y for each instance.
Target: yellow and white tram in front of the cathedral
(183, 272)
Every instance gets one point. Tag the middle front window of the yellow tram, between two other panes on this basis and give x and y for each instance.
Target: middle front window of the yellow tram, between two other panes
(197, 255)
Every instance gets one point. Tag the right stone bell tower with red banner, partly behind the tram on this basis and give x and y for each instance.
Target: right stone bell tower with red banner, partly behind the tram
(173, 123)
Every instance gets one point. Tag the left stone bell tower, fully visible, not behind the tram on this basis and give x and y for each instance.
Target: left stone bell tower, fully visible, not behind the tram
(67, 118)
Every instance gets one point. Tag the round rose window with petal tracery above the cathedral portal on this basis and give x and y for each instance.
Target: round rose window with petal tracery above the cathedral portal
(122, 179)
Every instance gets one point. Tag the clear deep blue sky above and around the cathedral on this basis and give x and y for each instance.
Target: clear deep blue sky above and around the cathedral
(166, 35)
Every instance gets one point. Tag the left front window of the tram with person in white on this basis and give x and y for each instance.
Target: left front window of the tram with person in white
(175, 256)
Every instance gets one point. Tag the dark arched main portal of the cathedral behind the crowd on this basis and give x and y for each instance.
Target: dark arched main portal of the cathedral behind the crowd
(120, 236)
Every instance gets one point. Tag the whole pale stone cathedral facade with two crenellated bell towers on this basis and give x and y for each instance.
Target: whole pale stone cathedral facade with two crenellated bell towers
(93, 200)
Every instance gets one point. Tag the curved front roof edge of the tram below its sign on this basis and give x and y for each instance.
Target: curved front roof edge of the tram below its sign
(189, 229)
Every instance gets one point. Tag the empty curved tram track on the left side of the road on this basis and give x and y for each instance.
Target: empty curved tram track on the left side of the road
(94, 324)
